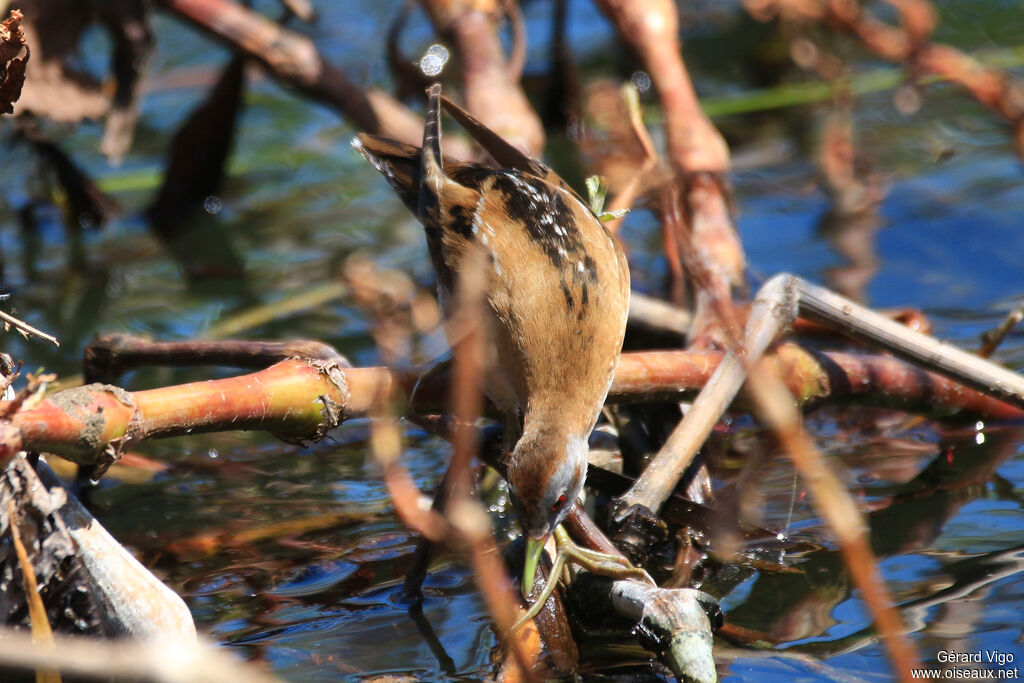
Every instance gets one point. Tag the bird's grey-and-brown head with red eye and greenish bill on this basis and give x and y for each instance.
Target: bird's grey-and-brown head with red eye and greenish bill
(546, 475)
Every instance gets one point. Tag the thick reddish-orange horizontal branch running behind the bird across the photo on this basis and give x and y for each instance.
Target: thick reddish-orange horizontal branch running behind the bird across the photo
(301, 401)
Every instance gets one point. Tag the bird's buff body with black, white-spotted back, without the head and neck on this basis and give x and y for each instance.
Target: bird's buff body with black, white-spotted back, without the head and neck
(558, 283)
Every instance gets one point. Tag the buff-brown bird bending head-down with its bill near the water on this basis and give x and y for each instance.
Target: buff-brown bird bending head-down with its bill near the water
(558, 290)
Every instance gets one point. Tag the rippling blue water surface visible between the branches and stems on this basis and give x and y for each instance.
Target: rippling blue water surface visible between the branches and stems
(316, 594)
